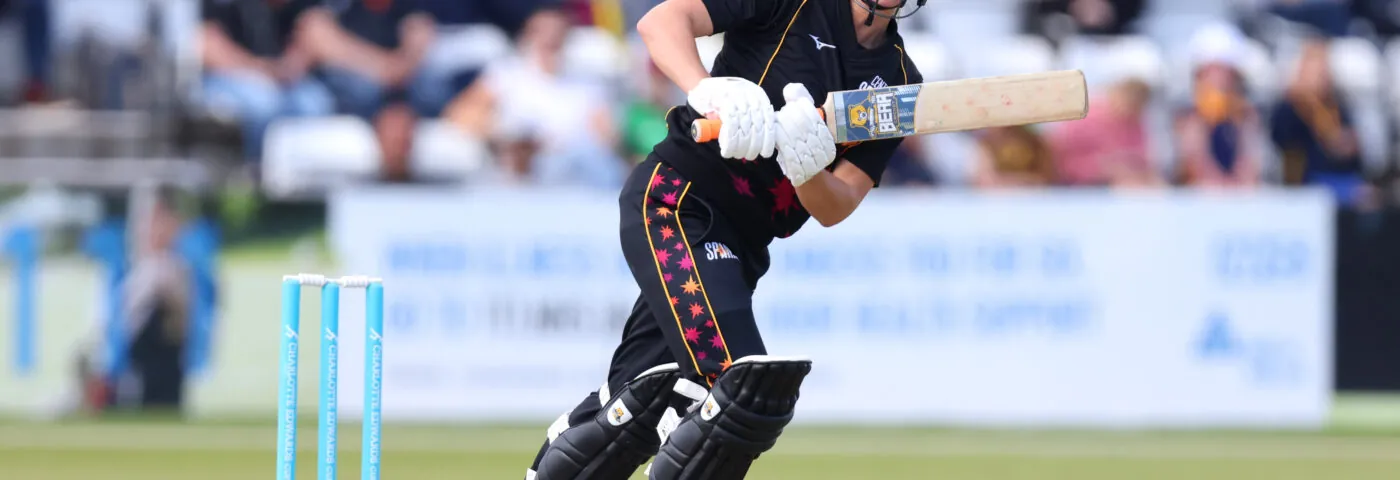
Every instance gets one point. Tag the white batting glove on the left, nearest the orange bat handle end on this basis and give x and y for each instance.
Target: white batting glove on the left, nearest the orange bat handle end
(745, 111)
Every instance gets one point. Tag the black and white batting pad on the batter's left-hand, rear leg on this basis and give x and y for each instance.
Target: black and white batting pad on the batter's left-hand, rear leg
(618, 440)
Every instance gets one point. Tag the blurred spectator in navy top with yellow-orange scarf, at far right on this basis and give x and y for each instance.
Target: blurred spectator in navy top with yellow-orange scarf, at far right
(1312, 129)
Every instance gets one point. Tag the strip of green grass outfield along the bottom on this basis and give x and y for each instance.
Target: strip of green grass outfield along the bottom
(156, 451)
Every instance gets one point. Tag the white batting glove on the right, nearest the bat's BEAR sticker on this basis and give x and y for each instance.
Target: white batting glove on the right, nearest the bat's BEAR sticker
(806, 145)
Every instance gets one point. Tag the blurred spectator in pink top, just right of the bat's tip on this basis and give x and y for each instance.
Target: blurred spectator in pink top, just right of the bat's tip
(1109, 146)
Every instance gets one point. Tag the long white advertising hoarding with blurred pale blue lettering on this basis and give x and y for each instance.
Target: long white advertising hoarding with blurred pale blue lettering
(1090, 310)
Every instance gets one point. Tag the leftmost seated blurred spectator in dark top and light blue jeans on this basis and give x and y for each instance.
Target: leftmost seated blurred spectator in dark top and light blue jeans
(255, 68)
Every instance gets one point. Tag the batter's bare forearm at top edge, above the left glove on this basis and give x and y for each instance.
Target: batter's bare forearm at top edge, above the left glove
(670, 31)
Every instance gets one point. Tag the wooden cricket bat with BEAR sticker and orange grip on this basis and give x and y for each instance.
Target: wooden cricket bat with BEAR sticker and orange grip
(890, 113)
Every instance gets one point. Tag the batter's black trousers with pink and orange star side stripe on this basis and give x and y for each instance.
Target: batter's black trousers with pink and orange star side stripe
(696, 304)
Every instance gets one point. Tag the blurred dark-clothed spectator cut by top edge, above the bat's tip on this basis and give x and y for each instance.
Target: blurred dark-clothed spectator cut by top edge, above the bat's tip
(1058, 19)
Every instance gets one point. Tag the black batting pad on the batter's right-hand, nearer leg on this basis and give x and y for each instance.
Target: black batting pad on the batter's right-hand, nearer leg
(745, 414)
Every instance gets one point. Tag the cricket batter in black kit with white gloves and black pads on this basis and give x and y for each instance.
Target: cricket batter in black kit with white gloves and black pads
(696, 223)
